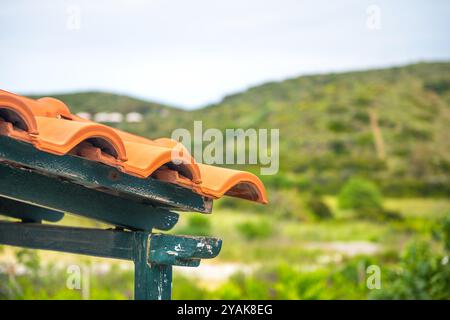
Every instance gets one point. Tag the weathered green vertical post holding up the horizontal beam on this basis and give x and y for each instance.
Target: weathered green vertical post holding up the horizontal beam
(151, 281)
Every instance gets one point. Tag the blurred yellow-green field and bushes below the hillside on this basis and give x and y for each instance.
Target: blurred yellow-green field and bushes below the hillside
(292, 260)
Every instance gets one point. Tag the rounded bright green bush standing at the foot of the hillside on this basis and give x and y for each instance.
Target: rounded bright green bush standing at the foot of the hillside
(360, 194)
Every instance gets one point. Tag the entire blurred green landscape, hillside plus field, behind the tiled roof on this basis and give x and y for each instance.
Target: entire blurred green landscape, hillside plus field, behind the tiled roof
(363, 180)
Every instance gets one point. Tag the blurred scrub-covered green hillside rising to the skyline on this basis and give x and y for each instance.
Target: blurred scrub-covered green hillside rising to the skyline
(390, 125)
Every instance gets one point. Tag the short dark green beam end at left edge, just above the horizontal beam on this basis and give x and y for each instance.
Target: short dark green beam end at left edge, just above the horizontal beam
(27, 212)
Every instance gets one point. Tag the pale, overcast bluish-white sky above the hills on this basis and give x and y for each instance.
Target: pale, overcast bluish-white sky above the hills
(190, 53)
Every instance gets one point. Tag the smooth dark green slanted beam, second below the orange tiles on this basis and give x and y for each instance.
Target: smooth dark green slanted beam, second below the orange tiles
(40, 190)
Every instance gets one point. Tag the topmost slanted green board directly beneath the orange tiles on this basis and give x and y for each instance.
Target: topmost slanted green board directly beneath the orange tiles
(106, 178)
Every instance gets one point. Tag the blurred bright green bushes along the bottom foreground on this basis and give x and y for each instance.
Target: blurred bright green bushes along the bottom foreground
(419, 273)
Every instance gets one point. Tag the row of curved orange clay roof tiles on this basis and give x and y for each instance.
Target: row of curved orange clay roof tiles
(48, 124)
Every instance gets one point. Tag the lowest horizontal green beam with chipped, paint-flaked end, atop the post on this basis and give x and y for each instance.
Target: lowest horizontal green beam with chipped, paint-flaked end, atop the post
(126, 245)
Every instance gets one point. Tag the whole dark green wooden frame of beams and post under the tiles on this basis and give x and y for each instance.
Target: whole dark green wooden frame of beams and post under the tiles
(36, 186)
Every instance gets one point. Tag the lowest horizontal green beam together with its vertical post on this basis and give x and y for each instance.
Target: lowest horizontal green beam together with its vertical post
(152, 254)
